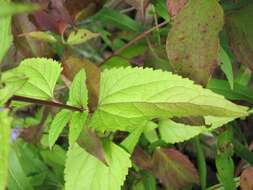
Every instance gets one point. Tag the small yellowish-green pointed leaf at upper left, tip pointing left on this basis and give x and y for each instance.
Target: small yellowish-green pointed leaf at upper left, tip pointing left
(42, 36)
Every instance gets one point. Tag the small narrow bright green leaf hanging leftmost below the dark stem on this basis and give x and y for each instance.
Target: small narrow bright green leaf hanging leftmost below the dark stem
(60, 121)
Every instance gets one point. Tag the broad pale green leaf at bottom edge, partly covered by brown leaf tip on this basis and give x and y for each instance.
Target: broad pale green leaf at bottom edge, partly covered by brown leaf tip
(83, 171)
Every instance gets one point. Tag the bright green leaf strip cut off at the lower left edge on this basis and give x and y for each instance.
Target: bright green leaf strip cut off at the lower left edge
(5, 130)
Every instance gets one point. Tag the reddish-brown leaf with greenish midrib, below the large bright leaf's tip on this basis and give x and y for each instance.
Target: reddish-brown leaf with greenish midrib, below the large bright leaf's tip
(174, 169)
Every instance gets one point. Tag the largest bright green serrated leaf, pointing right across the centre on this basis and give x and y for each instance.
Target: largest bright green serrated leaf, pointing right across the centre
(129, 96)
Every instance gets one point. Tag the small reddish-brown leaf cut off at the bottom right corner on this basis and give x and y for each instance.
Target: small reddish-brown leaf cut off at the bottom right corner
(246, 182)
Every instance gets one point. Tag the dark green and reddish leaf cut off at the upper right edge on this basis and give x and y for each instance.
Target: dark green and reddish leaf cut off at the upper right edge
(239, 26)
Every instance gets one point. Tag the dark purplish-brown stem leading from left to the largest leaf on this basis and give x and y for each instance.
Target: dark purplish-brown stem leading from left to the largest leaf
(45, 103)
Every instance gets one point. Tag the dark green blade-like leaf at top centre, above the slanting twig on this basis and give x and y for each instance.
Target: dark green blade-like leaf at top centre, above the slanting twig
(117, 19)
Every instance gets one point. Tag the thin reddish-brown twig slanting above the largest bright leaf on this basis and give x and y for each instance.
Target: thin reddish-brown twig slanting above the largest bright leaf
(133, 41)
